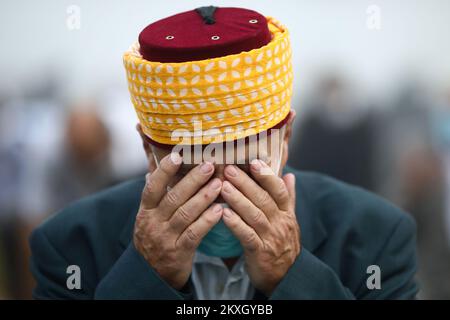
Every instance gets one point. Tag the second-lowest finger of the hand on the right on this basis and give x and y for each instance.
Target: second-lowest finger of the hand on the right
(251, 214)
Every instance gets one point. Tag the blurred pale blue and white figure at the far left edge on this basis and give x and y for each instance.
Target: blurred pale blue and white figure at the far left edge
(27, 132)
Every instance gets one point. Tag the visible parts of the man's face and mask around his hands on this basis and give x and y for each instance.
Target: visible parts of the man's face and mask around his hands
(267, 147)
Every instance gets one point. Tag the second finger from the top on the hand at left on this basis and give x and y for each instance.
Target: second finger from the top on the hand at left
(186, 188)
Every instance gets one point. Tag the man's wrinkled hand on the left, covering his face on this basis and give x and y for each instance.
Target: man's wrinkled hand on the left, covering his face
(170, 224)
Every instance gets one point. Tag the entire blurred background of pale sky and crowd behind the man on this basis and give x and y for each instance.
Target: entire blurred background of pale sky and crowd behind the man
(371, 90)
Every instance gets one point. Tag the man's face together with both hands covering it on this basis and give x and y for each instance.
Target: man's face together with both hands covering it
(221, 208)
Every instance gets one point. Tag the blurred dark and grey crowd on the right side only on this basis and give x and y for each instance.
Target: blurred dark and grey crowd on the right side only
(401, 152)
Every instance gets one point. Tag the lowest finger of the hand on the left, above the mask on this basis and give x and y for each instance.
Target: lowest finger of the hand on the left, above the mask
(191, 237)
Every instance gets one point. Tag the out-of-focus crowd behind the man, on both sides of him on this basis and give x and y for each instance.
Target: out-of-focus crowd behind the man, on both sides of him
(52, 153)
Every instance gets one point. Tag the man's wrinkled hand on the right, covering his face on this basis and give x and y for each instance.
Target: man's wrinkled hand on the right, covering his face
(263, 219)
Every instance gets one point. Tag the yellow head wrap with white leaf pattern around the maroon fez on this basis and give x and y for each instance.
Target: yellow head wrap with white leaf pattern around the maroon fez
(213, 100)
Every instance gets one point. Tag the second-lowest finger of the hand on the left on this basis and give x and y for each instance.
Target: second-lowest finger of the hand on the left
(191, 209)
